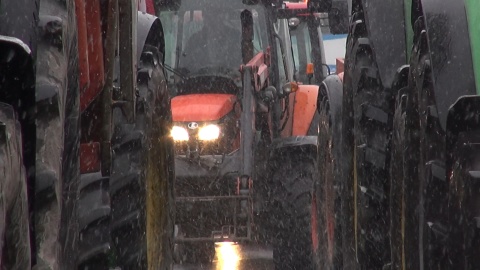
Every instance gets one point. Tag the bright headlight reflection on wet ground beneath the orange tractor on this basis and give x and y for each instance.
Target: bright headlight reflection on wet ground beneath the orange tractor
(234, 256)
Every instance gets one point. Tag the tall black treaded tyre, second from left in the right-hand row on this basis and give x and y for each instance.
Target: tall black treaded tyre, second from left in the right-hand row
(367, 139)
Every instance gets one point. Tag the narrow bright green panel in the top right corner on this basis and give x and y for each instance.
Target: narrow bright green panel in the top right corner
(473, 16)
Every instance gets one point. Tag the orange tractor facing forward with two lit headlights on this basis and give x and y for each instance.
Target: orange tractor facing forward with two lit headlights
(237, 111)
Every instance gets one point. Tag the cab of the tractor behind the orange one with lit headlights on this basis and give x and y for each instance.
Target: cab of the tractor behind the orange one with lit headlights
(314, 36)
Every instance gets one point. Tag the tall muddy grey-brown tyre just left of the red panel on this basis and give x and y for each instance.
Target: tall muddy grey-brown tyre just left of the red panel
(57, 153)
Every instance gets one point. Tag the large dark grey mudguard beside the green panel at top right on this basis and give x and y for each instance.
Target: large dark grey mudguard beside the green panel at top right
(450, 54)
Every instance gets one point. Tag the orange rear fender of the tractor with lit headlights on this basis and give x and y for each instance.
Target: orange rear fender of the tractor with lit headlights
(304, 109)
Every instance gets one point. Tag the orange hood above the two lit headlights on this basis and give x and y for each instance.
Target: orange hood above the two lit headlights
(201, 107)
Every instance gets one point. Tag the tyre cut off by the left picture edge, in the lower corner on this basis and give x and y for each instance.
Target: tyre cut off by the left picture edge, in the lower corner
(14, 216)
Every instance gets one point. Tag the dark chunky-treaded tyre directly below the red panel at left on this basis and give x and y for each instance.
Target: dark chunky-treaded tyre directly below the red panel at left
(93, 212)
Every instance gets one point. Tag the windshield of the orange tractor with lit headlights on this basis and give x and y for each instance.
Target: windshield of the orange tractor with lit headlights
(204, 40)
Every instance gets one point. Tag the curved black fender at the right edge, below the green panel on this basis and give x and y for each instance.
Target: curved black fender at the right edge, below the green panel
(462, 116)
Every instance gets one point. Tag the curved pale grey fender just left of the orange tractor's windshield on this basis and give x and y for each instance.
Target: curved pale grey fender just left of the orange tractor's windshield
(150, 32)
